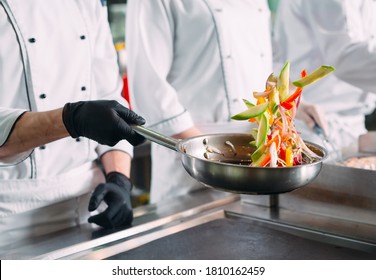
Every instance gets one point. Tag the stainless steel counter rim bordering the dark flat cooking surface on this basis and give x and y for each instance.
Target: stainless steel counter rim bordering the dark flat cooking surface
(165, 220)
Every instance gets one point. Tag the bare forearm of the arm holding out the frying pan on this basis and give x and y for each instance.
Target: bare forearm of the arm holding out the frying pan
(34, 129)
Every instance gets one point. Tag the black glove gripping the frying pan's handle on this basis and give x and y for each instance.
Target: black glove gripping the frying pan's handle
(104, 121)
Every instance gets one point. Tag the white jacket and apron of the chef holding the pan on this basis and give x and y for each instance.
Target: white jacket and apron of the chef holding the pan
(51, 53)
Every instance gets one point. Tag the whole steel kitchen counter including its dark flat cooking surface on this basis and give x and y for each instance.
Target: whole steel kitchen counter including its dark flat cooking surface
(210, 224)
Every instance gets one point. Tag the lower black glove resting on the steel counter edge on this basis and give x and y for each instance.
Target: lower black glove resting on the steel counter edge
(116, 193)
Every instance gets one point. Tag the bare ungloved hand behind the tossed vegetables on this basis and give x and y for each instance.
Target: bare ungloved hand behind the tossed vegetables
(312, 115)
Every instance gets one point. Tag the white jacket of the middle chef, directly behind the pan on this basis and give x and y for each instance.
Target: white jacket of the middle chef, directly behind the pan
(192, 62)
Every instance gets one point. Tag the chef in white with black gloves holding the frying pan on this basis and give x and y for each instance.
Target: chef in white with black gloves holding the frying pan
(55, 56)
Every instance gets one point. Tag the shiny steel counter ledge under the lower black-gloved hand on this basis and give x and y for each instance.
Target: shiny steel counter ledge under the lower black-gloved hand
(146, 218)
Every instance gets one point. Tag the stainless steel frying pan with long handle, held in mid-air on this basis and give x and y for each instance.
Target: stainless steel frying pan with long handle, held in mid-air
(221, 161)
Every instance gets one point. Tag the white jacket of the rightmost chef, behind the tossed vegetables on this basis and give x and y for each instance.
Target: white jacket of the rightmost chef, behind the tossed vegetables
(340, 33)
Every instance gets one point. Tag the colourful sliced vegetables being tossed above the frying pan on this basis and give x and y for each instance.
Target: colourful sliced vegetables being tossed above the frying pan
(276, 140)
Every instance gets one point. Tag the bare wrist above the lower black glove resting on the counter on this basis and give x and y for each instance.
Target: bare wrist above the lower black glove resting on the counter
(118, 161)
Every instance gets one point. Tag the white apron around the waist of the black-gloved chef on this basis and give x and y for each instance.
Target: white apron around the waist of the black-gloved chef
(40, 209)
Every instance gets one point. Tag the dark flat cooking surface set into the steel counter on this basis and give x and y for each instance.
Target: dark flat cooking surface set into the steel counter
(252, 240)
